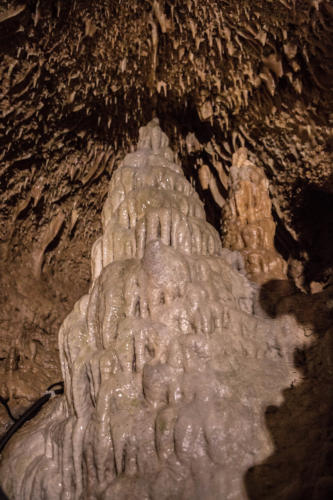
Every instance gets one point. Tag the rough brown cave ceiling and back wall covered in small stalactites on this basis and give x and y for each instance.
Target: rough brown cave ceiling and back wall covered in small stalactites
(78, 79)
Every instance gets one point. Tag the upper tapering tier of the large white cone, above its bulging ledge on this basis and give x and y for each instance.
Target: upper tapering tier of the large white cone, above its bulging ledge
(149, 199)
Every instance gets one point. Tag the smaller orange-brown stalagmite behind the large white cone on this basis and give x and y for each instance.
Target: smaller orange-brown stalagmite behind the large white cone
(247, 221)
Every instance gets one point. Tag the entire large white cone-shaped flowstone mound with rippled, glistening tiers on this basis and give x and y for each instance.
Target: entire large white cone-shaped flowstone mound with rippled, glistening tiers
(167, 367)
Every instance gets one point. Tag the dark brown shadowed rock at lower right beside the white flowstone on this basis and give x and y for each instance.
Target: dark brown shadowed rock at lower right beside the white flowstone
(301, 466)
